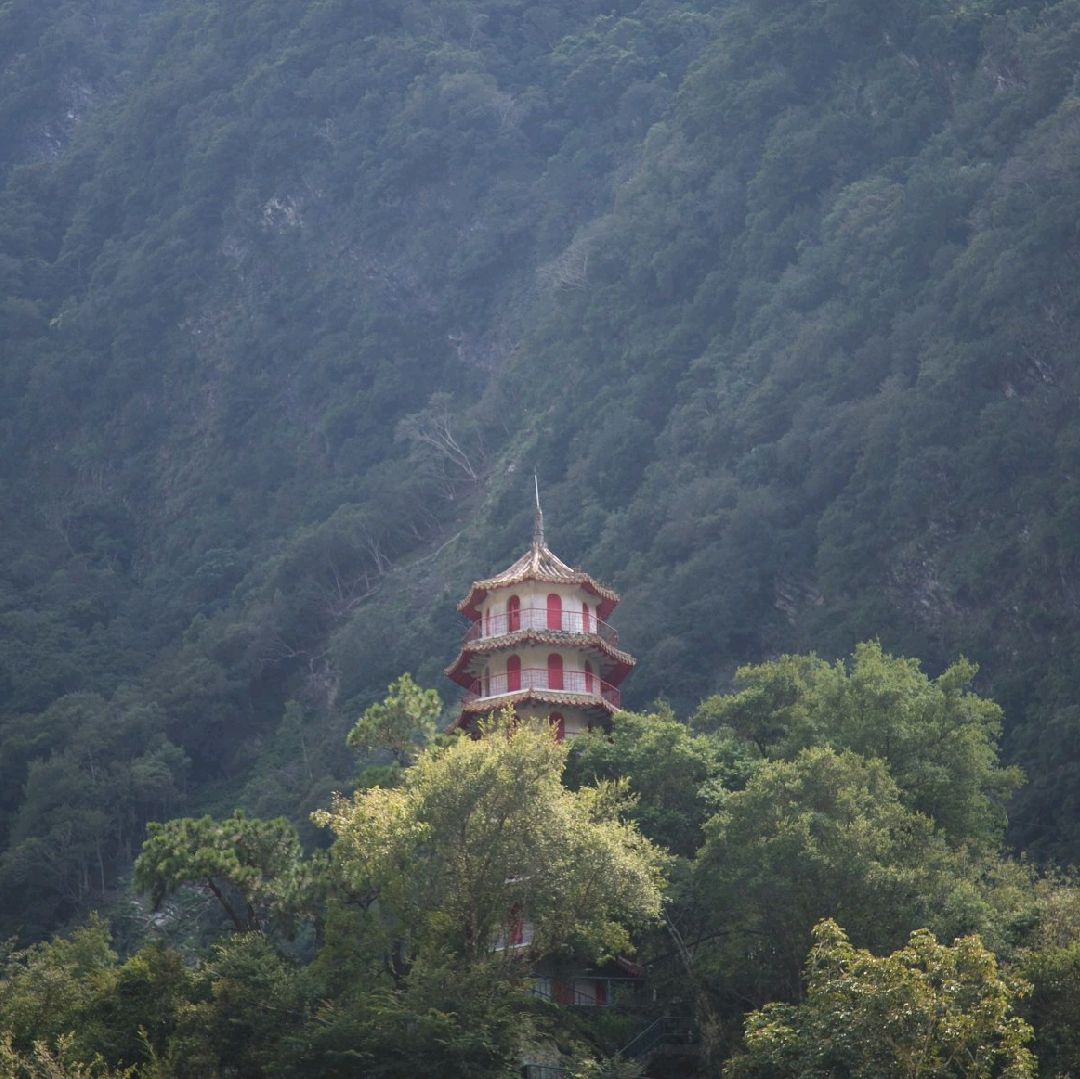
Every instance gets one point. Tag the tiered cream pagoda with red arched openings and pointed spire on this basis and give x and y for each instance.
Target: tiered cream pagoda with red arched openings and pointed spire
(538, 641)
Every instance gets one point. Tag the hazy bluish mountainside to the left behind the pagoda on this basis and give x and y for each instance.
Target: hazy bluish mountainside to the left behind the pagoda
(242, 301)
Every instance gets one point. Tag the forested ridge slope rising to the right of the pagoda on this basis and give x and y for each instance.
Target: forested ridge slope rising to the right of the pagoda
(821, 384)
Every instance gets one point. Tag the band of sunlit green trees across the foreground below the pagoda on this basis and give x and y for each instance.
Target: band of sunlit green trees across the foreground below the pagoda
(720, 859)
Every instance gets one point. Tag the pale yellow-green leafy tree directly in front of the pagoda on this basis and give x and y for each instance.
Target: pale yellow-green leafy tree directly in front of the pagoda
(483, 833)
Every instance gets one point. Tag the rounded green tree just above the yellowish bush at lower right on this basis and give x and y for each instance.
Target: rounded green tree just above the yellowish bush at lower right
(825, 835)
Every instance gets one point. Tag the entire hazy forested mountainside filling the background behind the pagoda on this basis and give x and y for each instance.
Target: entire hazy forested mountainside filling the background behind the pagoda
(779, 299)
